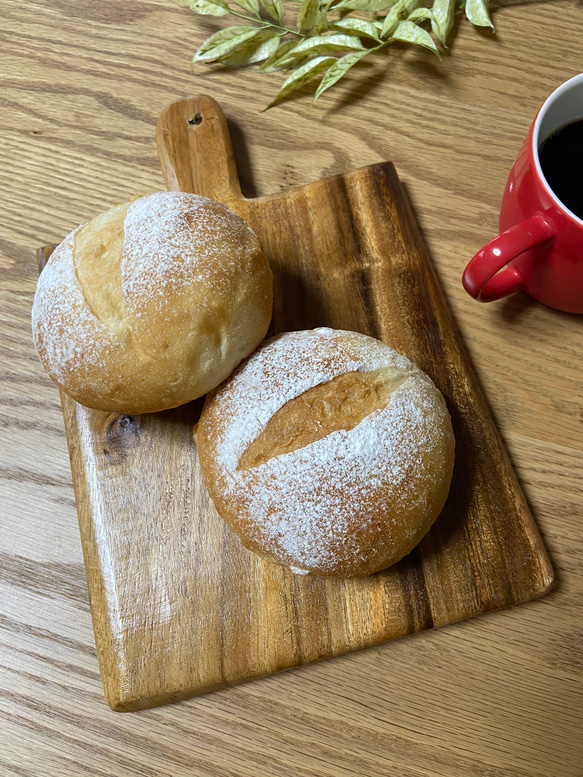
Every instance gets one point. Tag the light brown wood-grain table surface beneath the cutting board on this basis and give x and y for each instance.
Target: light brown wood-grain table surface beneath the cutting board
(81, 86)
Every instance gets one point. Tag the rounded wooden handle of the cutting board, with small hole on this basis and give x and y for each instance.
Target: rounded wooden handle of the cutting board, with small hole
(195, 151)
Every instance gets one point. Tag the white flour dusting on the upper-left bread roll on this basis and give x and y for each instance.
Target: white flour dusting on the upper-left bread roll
(170, 240)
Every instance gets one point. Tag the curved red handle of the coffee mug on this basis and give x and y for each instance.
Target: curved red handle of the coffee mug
(484, 277)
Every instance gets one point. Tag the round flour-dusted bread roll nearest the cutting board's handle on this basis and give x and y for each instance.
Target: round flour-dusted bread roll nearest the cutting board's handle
(152, 303)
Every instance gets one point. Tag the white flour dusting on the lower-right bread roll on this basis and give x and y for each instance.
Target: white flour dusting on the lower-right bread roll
(302, 504)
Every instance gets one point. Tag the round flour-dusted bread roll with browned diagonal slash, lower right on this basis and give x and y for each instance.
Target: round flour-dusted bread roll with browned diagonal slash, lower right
(327, 451)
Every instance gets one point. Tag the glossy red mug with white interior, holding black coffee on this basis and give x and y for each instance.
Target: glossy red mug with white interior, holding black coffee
(540, 248)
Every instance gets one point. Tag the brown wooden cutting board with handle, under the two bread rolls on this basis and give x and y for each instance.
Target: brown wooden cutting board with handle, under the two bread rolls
(179, 607)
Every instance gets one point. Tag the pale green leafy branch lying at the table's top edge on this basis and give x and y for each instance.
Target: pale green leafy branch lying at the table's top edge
(327, 37)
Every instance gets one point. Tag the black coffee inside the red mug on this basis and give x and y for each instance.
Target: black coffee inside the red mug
(561, 160)
